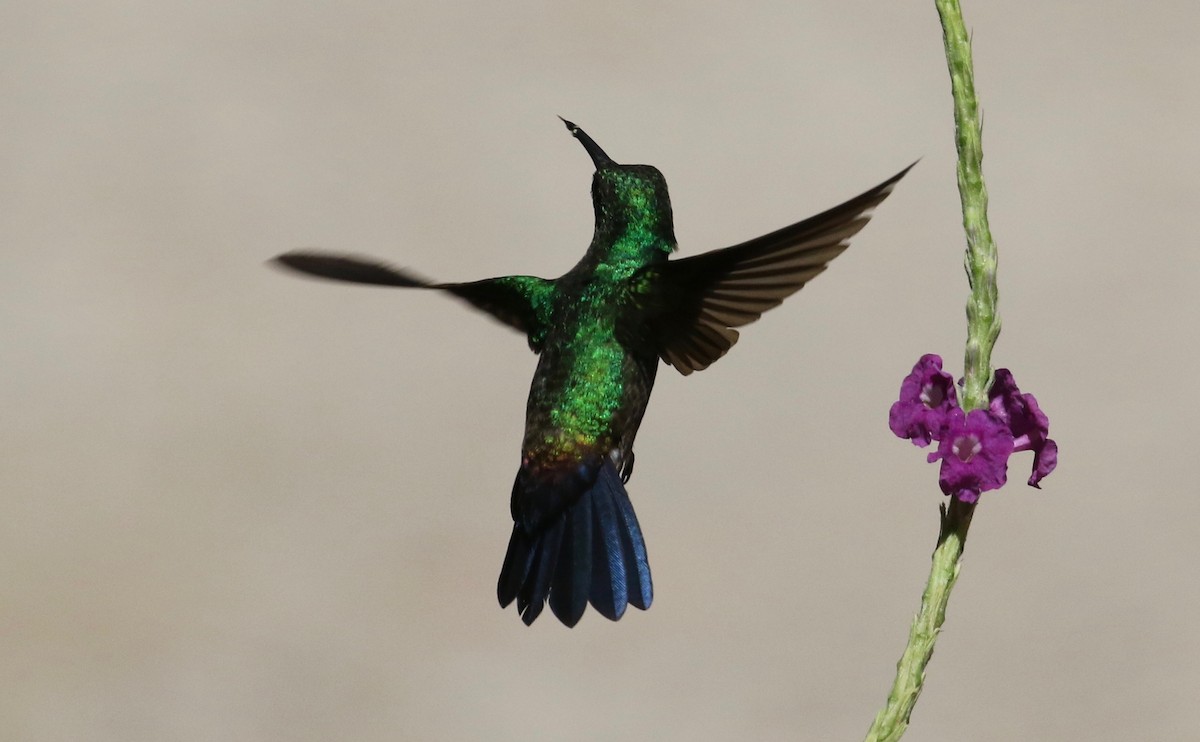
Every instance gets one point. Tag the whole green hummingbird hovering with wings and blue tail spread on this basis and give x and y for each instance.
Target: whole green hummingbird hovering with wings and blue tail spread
(601, 332)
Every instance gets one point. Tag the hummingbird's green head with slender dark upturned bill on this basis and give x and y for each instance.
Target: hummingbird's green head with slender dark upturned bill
(628, 199)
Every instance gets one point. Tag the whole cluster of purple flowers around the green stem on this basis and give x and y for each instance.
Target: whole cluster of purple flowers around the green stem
(973, 446)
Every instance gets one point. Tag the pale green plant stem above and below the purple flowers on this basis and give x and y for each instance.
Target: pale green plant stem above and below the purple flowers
(983, 330)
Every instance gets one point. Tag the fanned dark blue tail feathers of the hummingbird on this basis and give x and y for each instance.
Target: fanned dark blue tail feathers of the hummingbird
(575, 541)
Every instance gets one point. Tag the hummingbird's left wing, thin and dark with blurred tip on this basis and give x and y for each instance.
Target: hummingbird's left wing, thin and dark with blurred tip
(519, 302)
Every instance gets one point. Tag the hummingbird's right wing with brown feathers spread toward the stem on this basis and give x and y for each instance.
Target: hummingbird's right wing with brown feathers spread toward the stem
(692, 306)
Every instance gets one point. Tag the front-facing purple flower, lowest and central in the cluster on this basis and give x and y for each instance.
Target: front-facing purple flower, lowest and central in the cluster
(975, 450)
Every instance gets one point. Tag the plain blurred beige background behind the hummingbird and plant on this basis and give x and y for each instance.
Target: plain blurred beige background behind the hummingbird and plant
(243, 506)
